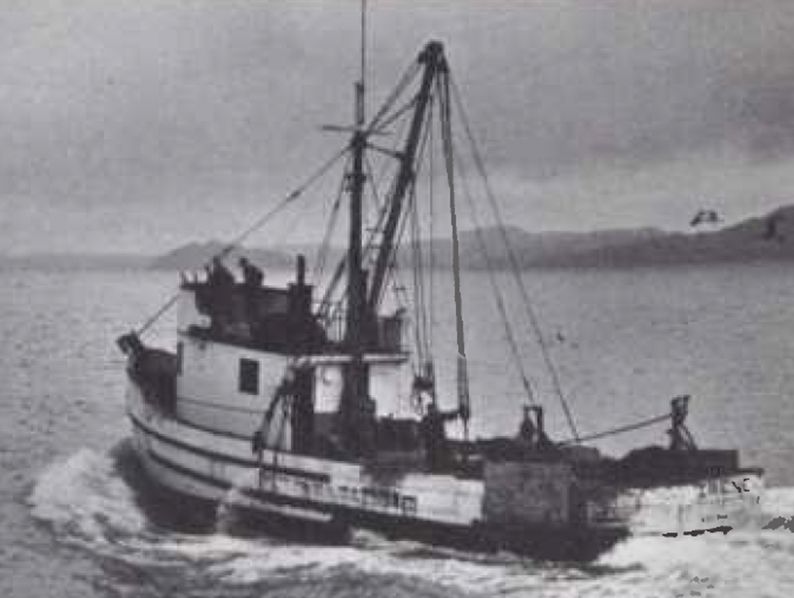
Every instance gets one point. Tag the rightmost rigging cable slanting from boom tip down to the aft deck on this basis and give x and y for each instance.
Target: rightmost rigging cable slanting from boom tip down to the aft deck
(514, 262)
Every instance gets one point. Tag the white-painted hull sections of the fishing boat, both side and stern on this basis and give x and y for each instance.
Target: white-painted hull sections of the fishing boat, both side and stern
(221, 468)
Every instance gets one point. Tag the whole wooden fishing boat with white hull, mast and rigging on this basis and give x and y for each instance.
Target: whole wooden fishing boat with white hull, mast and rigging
(314, 409)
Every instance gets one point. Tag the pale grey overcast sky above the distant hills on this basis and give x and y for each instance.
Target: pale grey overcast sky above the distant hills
(136, 126)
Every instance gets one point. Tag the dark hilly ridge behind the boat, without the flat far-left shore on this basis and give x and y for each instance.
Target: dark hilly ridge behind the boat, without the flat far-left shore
(770, 237)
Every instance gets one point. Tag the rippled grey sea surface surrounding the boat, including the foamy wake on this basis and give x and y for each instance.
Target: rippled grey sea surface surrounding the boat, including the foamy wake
(73, 514)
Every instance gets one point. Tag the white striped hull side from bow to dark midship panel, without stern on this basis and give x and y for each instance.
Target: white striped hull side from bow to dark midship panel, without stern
(221, 467)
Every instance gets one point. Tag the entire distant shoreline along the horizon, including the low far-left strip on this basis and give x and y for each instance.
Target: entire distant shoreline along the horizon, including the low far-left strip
(769, 238)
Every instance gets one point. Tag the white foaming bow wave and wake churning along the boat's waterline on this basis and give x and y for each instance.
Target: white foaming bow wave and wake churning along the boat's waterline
(101, 503)
